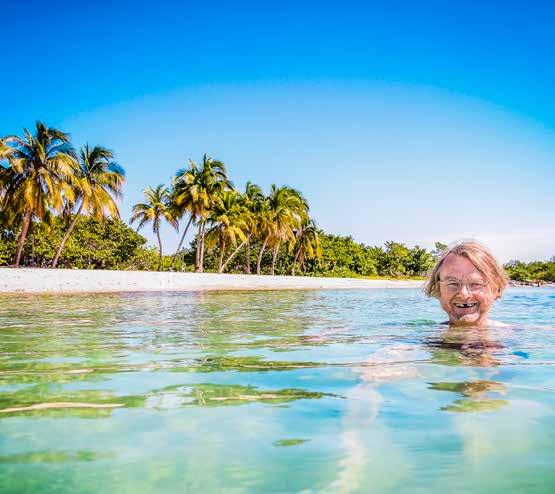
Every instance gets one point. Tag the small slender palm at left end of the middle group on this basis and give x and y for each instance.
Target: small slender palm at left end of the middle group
(156, 208)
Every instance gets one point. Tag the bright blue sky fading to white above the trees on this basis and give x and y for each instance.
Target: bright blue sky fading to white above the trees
(398, 120)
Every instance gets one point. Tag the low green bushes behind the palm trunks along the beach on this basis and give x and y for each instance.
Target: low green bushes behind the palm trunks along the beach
(111, 244)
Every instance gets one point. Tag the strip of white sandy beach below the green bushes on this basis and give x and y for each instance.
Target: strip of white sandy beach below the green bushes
(31, 280)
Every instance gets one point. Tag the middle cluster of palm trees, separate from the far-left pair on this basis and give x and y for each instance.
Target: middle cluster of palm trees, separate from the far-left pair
(203, 196)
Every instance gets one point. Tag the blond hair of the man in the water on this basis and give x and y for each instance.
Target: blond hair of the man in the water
(478, 255)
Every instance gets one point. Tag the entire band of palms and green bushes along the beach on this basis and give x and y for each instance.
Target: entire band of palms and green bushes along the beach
(58, 207)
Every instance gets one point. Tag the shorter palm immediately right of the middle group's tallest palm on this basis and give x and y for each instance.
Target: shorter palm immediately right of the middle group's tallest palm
(231, 222)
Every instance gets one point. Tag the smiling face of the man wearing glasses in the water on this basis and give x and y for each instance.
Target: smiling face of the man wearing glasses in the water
(470, 304)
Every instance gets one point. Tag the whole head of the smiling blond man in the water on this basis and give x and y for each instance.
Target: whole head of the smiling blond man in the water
(467, 280)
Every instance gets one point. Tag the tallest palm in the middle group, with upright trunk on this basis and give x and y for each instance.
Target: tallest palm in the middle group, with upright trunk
(199, 187)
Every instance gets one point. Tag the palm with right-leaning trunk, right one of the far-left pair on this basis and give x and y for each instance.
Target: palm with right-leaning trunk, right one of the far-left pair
(98, 182)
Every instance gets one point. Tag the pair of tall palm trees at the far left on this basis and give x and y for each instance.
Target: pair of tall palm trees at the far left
(42, 176)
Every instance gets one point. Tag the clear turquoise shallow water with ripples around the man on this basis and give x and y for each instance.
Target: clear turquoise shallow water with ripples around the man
(313, 391)
